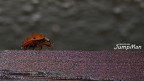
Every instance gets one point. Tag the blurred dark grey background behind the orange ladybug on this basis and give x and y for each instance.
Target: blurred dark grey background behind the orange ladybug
(72, 24)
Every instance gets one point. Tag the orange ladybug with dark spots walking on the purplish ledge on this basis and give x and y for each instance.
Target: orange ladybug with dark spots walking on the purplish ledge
(36, 40)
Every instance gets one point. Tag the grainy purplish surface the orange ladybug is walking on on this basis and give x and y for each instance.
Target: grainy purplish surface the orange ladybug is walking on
(114, 65)
